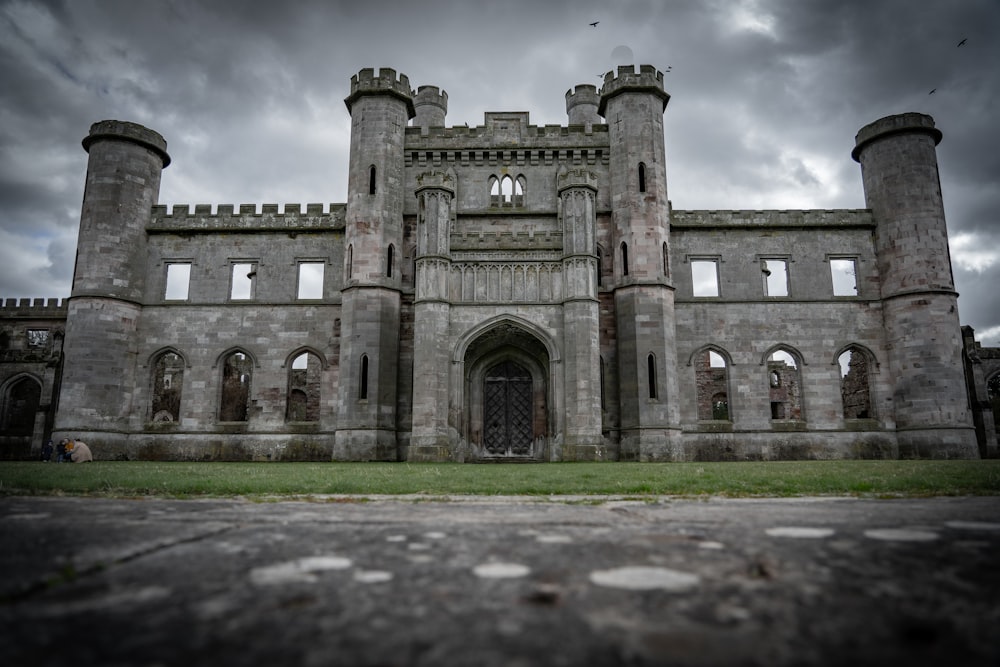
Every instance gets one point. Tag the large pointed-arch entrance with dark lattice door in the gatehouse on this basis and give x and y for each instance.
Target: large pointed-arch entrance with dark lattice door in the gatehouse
(506, 402)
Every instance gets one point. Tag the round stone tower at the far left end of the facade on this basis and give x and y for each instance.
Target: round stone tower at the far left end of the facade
(123, 183)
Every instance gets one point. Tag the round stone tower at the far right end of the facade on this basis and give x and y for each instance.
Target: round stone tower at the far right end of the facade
(919, 303)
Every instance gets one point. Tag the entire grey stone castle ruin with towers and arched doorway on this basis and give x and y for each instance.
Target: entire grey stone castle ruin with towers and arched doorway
(503, 292)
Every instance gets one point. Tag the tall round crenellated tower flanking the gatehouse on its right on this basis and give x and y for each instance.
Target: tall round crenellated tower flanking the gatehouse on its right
(632, 104)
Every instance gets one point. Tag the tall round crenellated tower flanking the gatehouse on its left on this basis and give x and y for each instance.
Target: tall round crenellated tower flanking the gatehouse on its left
(380, 108)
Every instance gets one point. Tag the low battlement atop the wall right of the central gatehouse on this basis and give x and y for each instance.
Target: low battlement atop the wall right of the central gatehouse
(702, 219)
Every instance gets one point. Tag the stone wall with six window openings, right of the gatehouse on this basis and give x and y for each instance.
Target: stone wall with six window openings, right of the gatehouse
(811, 320)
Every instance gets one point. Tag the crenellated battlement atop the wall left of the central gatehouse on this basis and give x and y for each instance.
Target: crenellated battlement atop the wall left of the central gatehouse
(249, 217)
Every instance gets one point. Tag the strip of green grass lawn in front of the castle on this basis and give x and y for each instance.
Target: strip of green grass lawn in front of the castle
(259, 480)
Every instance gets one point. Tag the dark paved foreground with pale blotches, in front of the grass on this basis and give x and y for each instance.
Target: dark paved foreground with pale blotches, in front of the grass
(499, 581)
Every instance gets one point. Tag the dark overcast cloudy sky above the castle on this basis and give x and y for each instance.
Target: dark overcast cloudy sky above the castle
(766, 97)
